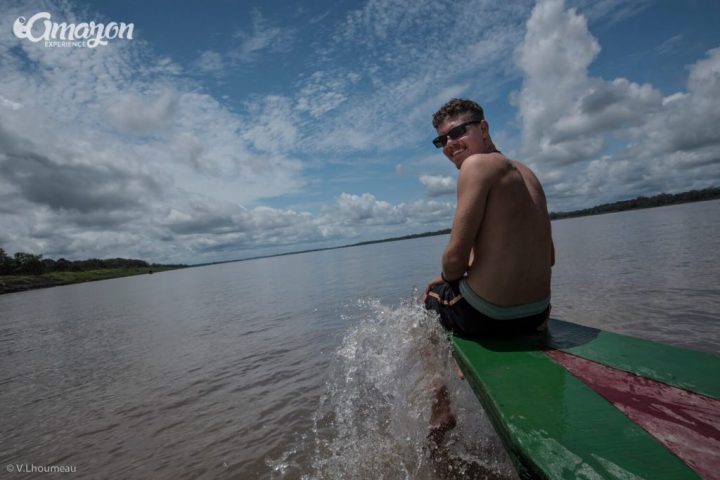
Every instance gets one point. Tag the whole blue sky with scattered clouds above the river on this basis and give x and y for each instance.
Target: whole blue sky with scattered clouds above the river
(229, 129)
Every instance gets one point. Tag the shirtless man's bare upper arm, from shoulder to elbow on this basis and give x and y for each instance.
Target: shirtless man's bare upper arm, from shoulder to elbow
(477, 174)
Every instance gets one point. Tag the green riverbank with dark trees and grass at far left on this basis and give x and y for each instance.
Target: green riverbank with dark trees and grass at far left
(25, 271)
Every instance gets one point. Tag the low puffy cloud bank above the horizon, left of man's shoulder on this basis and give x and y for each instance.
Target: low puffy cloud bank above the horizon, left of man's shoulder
(211, 229)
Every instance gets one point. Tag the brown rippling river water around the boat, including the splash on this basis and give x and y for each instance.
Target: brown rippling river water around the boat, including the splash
(312, 366)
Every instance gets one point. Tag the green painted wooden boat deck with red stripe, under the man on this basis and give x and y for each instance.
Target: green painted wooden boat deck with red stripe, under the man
(557, 425)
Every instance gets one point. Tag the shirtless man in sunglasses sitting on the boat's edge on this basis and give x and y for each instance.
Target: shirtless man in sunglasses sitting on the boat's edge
(495, 276)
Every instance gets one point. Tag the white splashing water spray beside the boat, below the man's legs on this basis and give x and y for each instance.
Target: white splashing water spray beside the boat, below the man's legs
(373, 420)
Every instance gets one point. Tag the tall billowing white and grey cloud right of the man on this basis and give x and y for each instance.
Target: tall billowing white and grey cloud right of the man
(593, 139)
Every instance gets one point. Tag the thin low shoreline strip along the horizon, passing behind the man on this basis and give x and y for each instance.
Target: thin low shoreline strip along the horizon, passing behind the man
(18, 283)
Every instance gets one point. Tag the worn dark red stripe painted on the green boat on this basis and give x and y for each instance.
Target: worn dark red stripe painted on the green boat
(688, 424)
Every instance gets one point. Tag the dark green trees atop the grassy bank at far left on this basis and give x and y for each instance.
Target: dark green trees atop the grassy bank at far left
(22, 263)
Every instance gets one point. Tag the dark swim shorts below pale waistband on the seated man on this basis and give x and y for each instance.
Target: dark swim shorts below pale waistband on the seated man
(458, 316)
